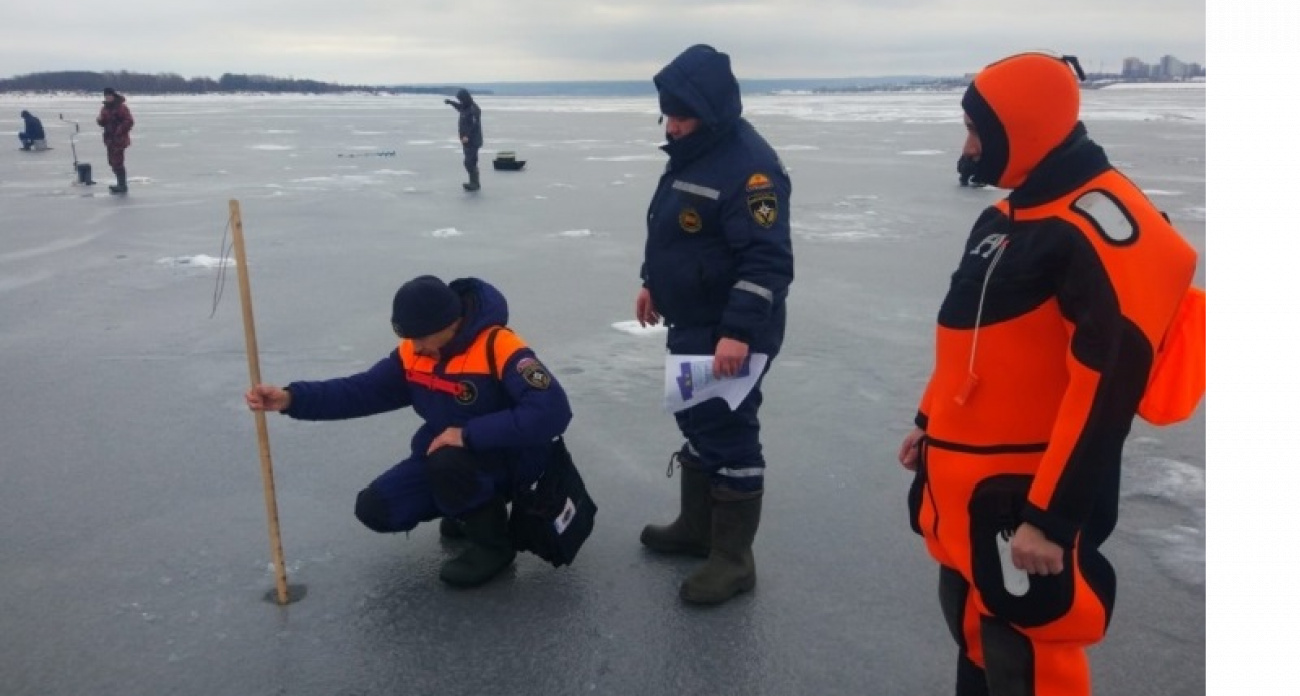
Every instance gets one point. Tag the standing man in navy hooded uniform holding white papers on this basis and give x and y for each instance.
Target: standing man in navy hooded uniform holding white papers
(718, 266)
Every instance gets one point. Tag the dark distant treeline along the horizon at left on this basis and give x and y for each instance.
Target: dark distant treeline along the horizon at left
(86, 81)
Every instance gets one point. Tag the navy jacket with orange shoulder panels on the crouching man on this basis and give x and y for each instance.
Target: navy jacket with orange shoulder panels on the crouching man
(510, 417)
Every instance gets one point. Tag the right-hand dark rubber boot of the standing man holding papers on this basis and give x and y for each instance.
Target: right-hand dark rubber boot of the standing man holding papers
(730, 569)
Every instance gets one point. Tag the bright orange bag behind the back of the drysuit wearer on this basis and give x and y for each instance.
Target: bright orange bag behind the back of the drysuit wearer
(1178, 371)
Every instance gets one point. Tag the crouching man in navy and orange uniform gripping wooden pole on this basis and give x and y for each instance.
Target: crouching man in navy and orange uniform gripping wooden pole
(491, 409)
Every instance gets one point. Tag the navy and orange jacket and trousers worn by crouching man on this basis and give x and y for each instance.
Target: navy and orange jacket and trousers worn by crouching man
(509, 418)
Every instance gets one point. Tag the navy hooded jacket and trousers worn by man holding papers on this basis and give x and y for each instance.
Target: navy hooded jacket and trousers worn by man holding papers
(718, 260)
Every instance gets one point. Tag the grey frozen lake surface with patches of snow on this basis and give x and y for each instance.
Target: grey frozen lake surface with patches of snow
(133, 534)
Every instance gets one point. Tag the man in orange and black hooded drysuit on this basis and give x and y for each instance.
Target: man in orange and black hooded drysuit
(1043, 352)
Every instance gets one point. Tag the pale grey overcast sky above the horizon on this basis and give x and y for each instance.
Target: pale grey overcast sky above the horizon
(499, 41)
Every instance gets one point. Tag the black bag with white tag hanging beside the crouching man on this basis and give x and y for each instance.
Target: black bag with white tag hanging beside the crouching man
(556, 516)
